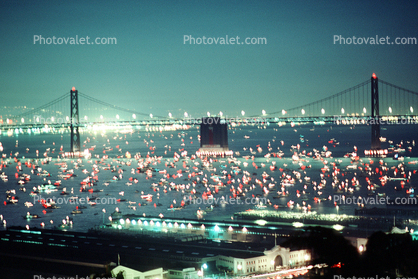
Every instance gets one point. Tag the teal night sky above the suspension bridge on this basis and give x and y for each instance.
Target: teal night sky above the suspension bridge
(151, 70)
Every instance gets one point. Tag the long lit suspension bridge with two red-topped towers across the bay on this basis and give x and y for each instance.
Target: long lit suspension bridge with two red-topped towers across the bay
(370, 102)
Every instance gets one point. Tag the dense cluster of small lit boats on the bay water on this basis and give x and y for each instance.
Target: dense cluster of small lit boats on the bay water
(270, 180)
